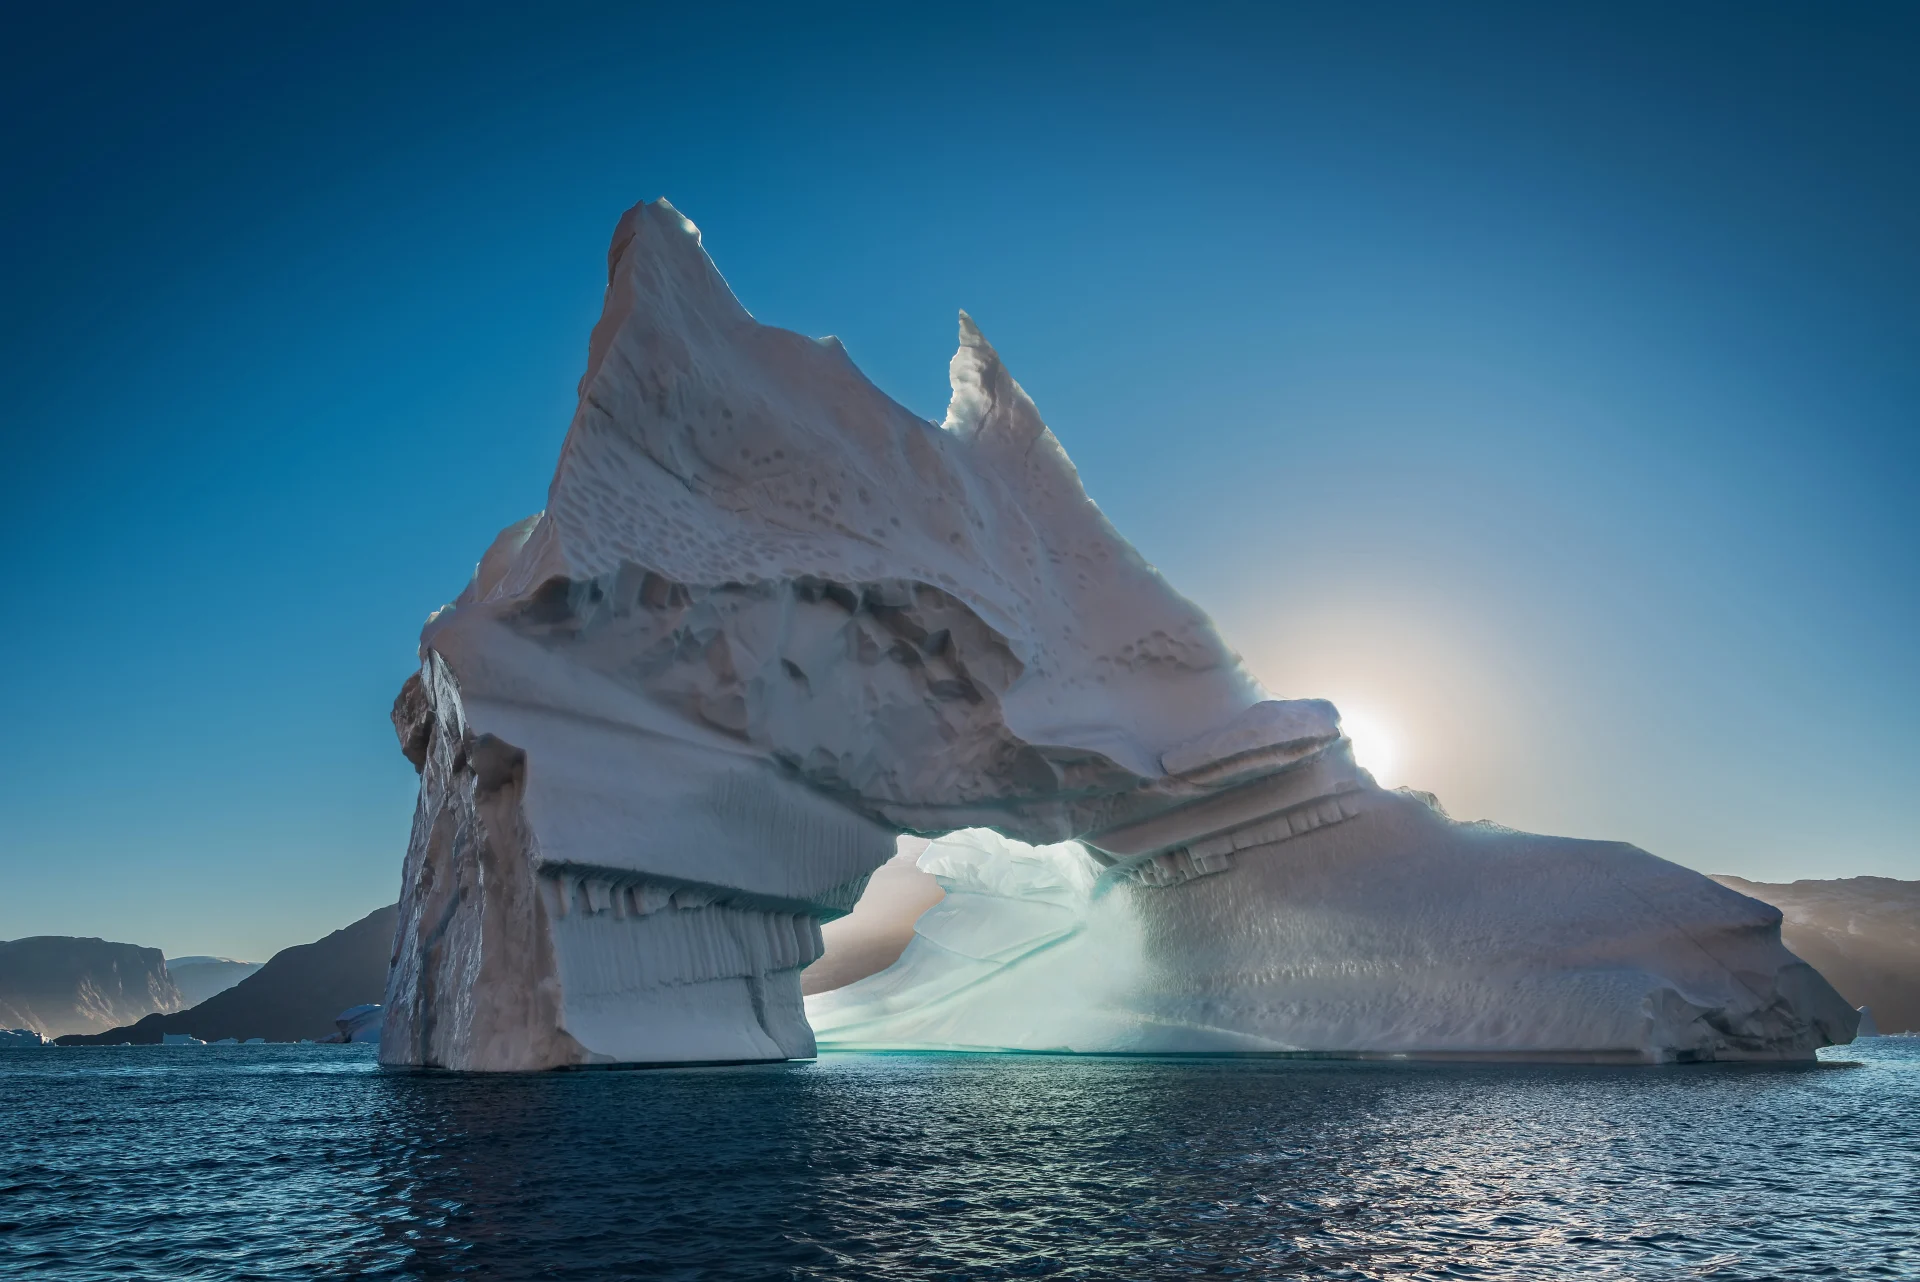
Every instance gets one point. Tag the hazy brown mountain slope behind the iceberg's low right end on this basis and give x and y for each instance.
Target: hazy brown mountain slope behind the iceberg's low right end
(1863, 934)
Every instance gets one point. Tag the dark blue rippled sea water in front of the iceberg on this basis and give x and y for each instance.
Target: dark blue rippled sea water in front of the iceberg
(281, 1162)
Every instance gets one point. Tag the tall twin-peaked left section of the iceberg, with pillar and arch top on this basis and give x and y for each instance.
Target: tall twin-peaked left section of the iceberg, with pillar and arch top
(767, 623)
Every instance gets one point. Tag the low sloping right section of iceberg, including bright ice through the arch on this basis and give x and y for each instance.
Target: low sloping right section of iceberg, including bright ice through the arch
(1385, 932)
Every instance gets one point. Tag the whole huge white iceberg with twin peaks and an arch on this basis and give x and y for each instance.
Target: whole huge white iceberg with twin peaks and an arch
(771, 621)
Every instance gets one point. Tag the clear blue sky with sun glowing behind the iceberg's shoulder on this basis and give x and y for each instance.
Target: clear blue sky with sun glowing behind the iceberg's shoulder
(1537, 385)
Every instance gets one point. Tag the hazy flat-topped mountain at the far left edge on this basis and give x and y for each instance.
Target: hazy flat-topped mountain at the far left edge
(59, 984)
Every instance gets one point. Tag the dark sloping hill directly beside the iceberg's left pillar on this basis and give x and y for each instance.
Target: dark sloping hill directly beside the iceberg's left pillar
(293, 997)
